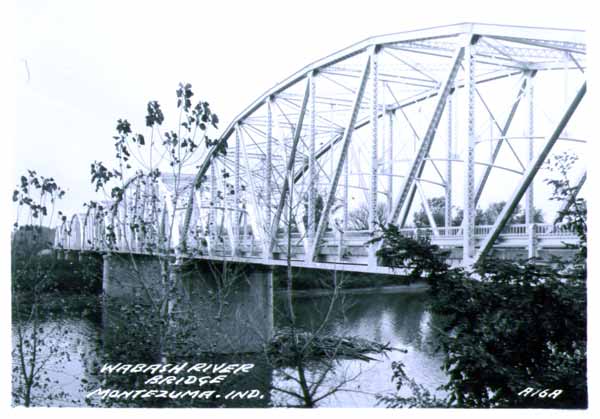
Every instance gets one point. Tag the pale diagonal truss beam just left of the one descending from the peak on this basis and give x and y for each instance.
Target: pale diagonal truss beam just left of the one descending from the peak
(347, 137)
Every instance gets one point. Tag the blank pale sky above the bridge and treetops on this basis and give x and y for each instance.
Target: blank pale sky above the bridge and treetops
(83, 64)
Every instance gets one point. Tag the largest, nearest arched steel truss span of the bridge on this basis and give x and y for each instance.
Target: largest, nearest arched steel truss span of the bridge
(340, 127)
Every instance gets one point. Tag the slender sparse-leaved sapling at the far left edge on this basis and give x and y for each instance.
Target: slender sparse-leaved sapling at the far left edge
(31, 276)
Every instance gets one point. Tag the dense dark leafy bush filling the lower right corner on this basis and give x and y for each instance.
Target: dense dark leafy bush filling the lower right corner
(520, 326)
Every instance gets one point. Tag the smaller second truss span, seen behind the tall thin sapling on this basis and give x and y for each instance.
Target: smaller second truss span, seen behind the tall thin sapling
(149, 213)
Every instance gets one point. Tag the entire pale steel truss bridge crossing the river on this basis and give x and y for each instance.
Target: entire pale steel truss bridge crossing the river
(467, 113)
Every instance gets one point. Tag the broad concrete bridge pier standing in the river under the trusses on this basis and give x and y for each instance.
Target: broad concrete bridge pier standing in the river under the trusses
(217, 307)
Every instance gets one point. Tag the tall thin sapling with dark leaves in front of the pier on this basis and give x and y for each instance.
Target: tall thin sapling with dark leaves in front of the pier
(159, 317)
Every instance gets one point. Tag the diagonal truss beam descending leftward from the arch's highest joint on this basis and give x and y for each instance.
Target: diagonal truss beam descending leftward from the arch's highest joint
(418, 163)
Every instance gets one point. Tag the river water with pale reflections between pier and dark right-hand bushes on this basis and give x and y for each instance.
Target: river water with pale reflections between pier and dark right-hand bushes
(395, 316)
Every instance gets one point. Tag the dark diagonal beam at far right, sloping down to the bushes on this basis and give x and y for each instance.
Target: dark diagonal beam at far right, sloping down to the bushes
(528, 176)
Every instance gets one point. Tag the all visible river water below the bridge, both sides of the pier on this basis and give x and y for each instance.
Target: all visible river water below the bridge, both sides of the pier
(81, 343)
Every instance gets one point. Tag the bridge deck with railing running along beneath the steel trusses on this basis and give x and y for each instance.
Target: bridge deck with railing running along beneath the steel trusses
(349, 253)
